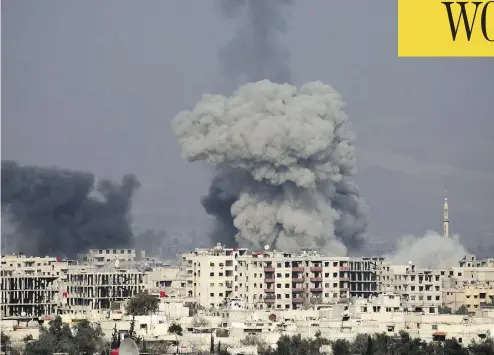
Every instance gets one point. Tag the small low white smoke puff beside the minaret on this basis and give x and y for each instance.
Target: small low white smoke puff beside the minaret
(430, 251)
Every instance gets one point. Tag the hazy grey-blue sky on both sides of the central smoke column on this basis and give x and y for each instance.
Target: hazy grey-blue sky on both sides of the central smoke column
(94, 85)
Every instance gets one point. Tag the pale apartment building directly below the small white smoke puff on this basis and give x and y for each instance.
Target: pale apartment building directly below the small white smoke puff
(419, 289)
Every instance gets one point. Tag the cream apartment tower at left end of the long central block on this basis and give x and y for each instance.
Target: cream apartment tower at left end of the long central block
(210, 274)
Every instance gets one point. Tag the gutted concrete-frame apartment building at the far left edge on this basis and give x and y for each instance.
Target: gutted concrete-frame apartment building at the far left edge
(29, 286)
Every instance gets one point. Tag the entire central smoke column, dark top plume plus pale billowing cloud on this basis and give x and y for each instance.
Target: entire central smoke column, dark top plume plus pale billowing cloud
(250, 207)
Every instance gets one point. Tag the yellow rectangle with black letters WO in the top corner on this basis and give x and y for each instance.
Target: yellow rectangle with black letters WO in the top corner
(424, 28)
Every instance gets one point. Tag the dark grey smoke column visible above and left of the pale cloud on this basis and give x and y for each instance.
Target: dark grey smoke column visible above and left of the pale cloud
(254, 53)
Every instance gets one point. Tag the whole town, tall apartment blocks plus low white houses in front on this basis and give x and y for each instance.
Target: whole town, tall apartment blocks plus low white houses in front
(234, 294)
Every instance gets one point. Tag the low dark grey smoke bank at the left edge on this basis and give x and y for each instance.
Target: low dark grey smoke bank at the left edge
(62, 212)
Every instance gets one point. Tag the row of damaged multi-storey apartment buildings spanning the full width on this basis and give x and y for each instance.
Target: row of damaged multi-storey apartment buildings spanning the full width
(104, 279)
